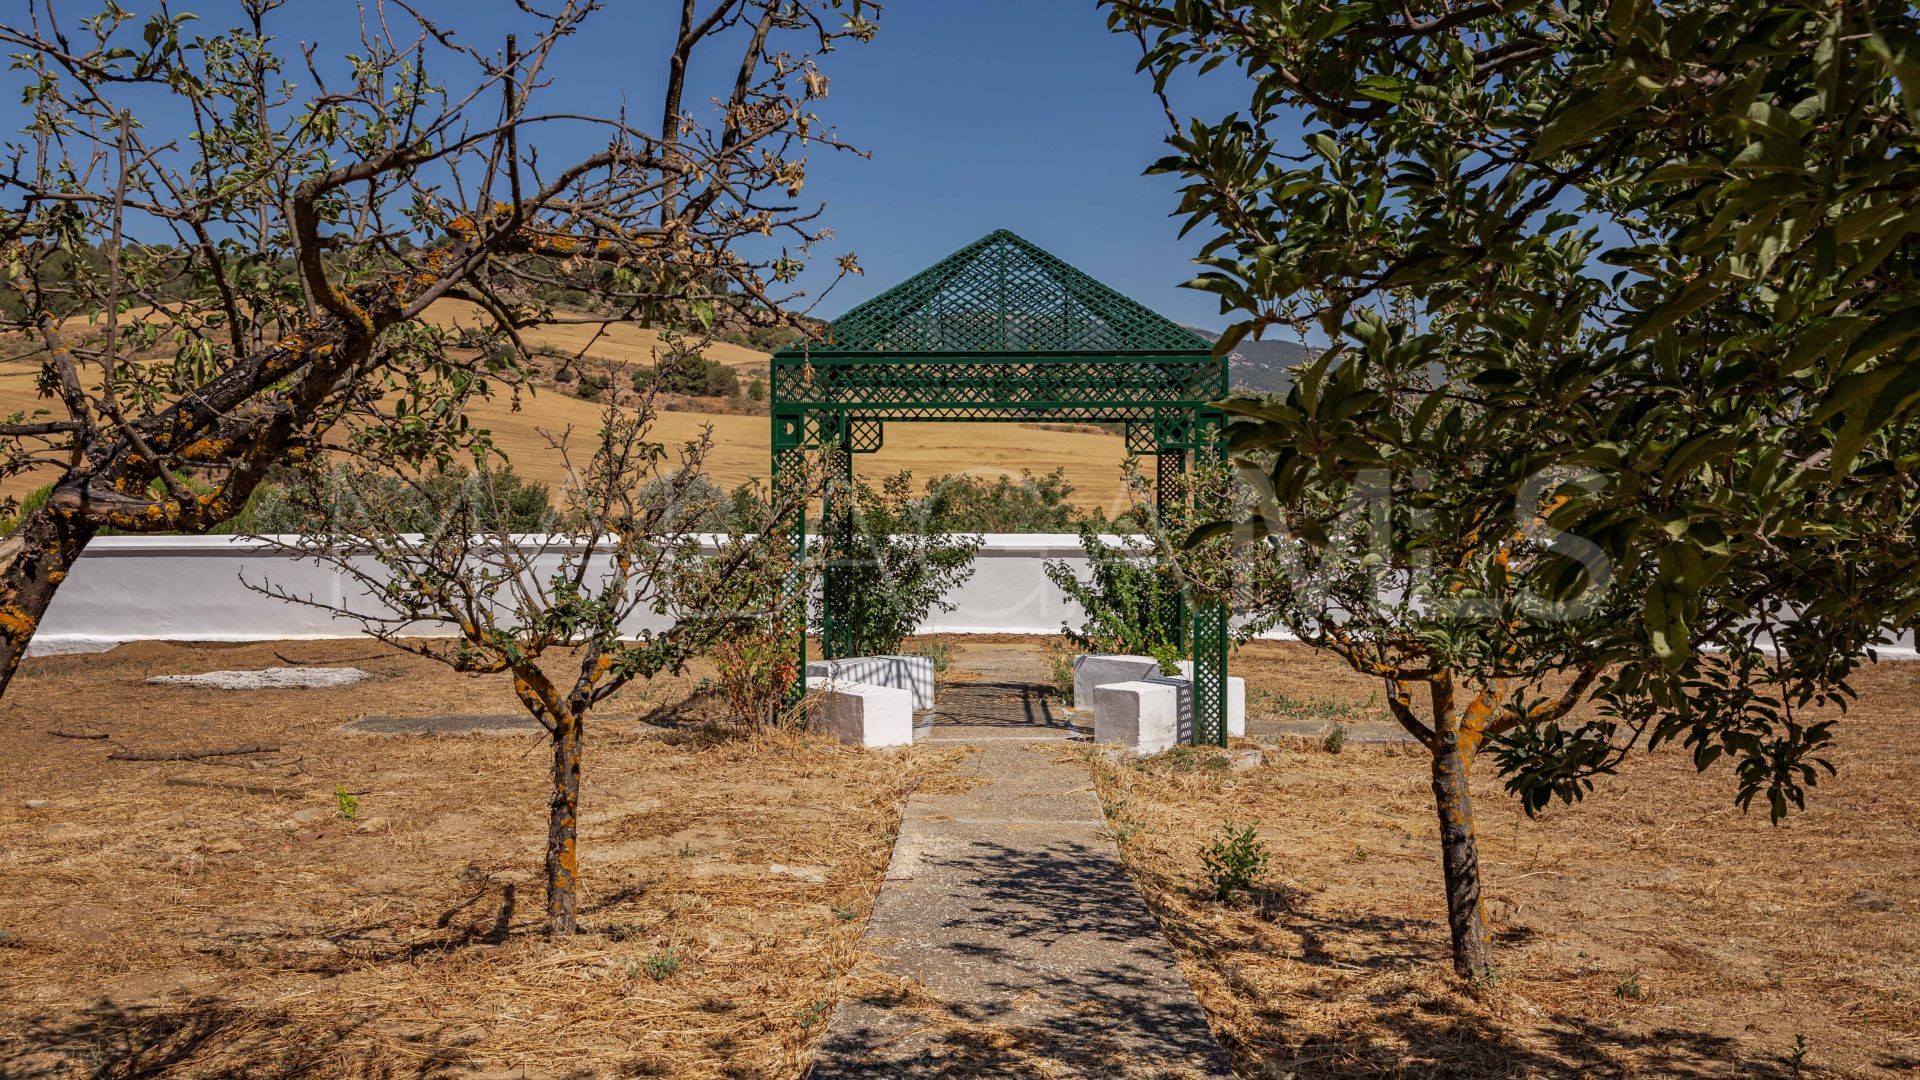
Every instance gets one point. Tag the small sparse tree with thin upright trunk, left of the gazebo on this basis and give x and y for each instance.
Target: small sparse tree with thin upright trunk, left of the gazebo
(615, 587)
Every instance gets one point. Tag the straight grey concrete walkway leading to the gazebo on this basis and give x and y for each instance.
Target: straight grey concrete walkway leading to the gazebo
(1015, 939)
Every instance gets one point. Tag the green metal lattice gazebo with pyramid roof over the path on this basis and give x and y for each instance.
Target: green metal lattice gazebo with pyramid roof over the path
(1003, 331)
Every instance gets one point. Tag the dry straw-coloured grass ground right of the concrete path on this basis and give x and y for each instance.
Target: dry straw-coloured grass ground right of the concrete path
(1650, 931)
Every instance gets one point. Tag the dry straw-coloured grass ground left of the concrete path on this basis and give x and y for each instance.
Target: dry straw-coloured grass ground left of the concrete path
(243, 927)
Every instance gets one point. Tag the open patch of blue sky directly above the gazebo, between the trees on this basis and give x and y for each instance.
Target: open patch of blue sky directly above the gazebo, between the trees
(1009, 114)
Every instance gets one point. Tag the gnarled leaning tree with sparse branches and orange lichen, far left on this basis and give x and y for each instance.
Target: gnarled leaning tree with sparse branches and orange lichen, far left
(224, 251)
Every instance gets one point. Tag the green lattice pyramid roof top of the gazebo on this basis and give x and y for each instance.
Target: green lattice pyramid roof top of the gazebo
(1003, 295)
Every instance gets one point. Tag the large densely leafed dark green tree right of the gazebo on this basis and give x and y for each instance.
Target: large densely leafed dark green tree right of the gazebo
(1625, 362)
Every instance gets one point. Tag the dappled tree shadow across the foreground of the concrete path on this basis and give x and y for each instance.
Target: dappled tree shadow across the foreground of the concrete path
(1034, 1006)
